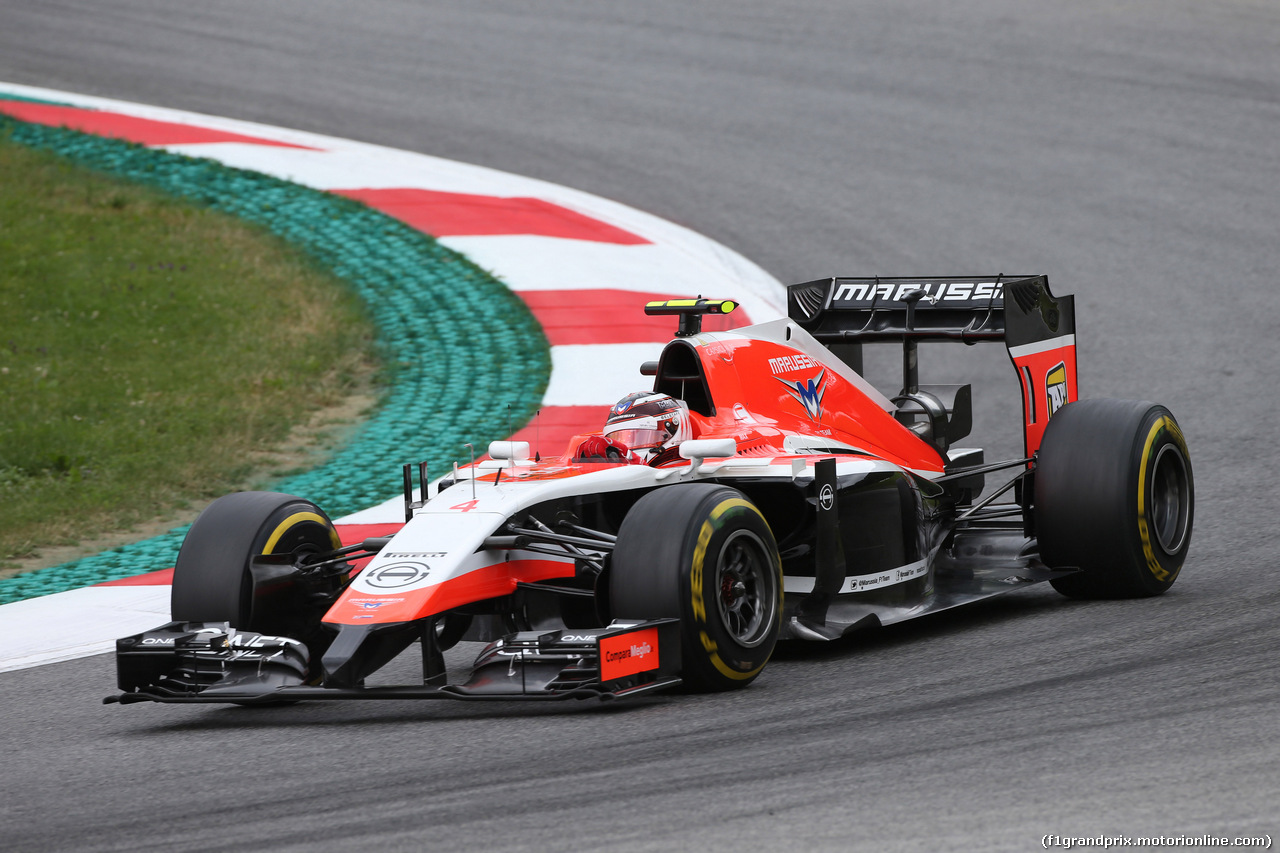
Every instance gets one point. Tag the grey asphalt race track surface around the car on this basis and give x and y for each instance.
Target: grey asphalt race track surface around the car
(1126, 149)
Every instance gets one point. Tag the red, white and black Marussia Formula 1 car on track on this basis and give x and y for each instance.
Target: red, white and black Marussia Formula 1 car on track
(794, 503)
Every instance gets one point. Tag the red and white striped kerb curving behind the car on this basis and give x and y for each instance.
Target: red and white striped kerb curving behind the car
(583, 267)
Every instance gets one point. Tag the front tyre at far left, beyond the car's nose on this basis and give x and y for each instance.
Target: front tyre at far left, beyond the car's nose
(212, 581)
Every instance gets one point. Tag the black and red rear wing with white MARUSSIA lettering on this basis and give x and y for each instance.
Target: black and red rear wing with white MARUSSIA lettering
(1037, 329)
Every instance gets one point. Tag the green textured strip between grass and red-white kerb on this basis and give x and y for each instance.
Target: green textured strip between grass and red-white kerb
(470, 362)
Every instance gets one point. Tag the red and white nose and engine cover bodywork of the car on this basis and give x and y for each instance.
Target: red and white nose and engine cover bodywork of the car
(793, 403)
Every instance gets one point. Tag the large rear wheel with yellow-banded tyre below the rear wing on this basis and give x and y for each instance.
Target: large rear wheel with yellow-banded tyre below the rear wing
(1116, 498)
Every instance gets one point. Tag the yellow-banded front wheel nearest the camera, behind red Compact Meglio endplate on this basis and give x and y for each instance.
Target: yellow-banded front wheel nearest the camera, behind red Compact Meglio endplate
(705, 555)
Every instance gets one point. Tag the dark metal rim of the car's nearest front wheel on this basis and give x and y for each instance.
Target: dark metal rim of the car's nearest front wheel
(746, 589)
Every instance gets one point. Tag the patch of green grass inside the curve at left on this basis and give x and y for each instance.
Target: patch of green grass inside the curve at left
(152, 352)
